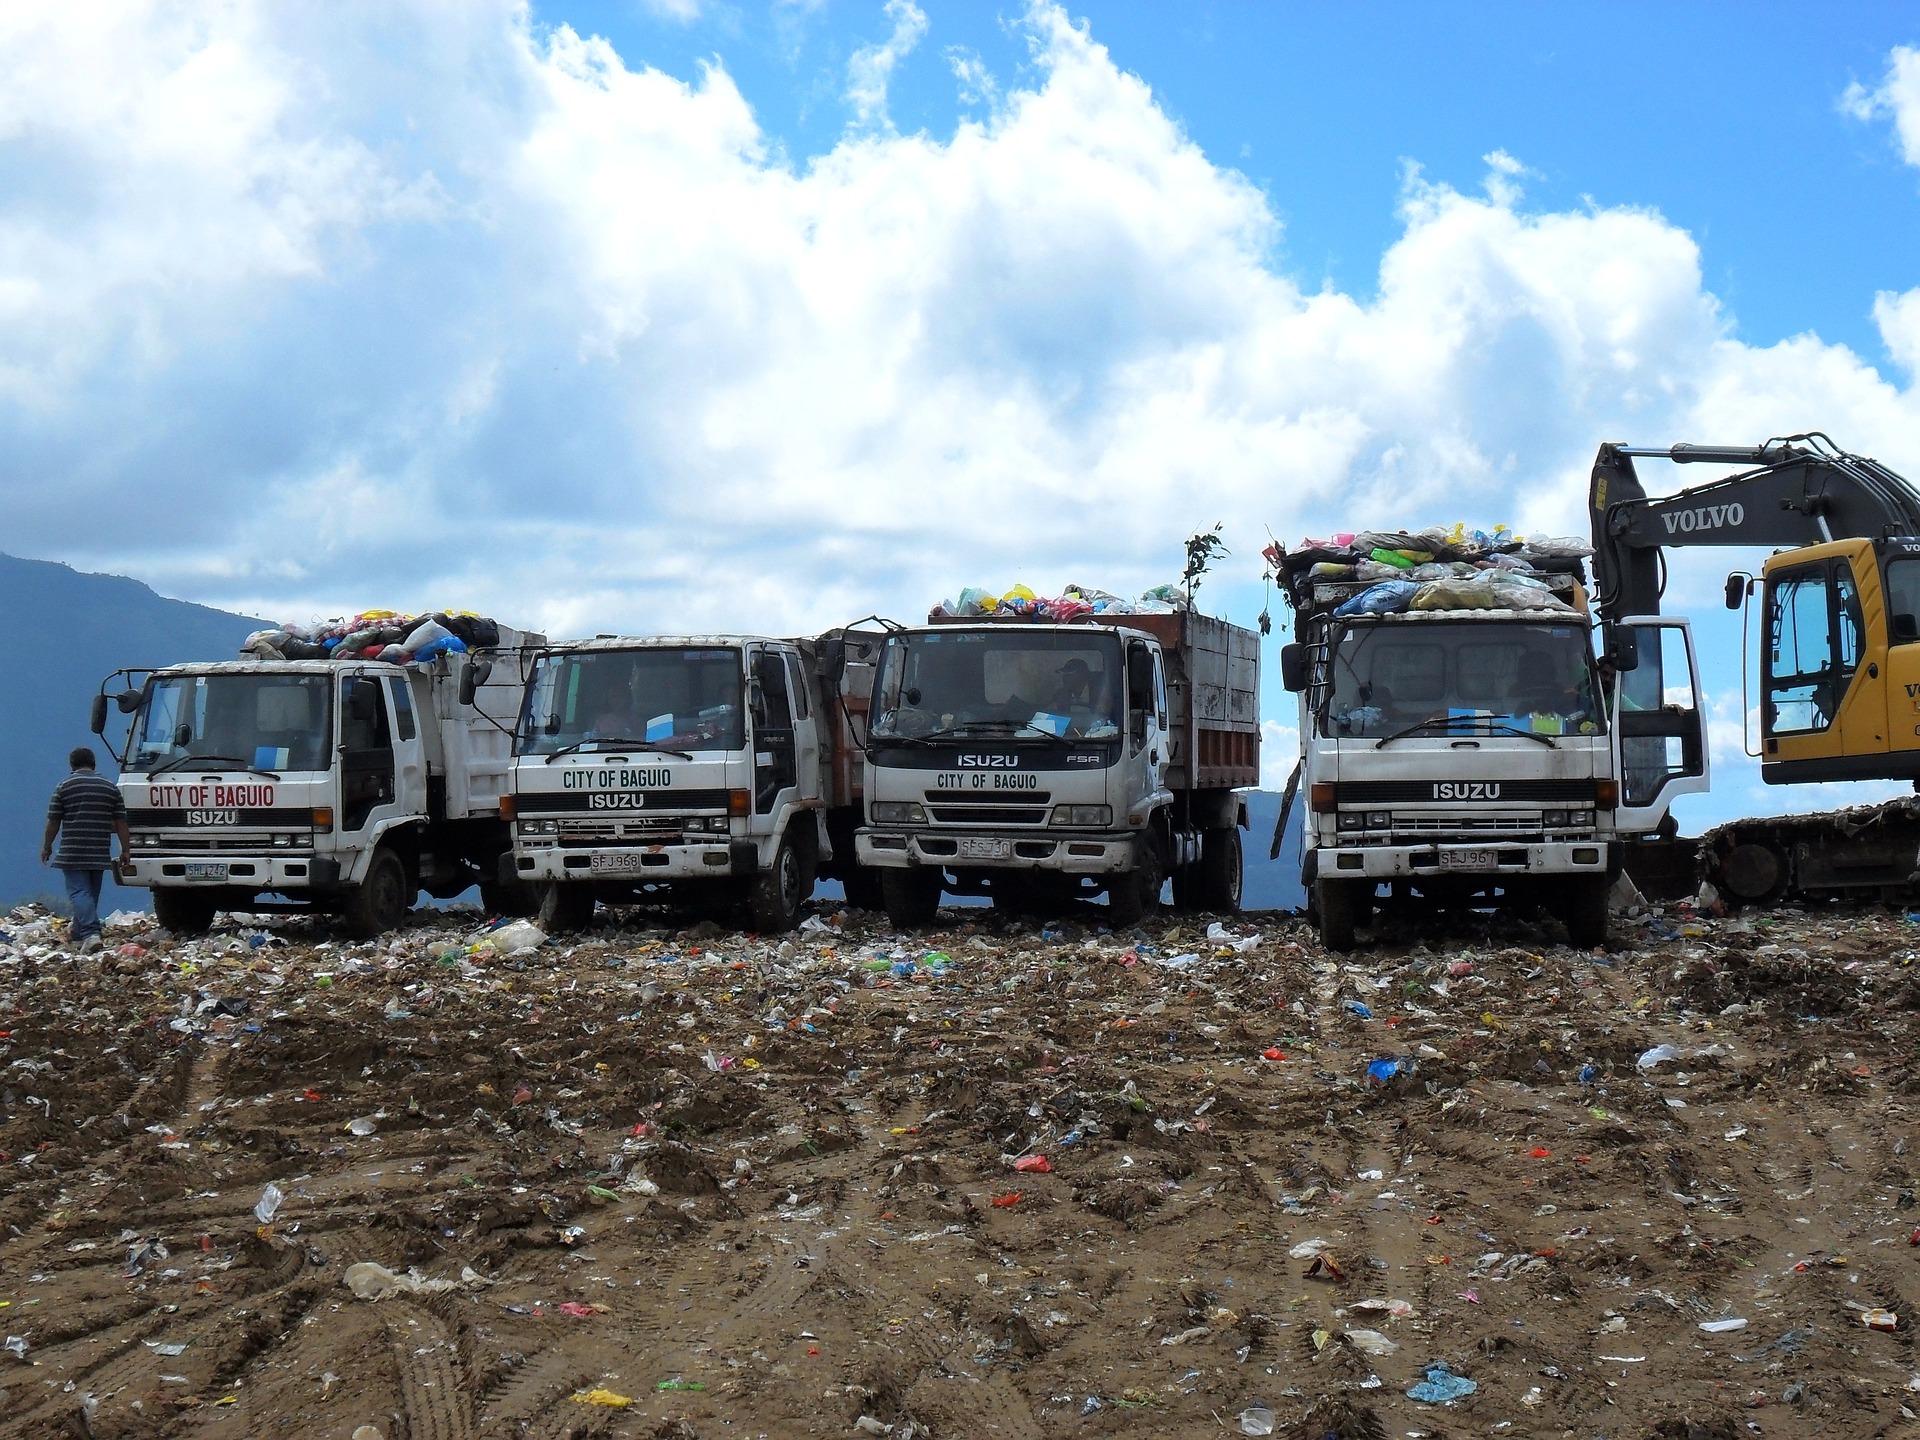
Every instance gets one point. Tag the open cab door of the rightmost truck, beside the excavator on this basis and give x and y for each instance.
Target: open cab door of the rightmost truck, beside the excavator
(1660, 734)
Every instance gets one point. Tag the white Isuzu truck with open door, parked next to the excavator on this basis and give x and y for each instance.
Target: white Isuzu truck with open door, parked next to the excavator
(1470, 752)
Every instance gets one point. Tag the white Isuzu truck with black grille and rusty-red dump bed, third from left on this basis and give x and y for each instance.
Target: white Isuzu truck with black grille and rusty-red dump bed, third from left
(1044, 763)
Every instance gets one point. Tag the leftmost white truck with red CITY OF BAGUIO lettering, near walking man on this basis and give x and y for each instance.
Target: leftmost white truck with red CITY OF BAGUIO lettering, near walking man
(341, 786)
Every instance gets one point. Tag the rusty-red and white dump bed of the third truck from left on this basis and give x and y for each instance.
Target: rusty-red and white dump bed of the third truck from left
(1212, 692)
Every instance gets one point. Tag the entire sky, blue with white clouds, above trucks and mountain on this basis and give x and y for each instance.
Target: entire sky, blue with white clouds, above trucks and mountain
(694, 316)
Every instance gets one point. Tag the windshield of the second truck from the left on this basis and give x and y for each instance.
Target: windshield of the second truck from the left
(675, 698)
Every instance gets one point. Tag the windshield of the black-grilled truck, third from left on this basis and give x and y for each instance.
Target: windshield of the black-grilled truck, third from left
(999, 681)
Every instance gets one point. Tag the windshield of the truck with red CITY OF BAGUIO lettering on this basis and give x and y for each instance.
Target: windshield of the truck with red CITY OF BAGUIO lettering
(233, 721)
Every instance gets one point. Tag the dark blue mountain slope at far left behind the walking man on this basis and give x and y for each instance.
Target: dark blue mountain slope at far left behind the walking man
(64, 635)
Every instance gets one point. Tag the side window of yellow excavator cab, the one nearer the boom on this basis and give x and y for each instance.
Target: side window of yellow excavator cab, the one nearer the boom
(1813, 646)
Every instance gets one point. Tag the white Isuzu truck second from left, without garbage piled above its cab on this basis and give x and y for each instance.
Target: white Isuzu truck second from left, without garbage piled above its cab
(709, 771)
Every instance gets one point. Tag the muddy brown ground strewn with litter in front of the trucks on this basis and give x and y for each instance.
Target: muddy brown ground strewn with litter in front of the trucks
(777, 1189)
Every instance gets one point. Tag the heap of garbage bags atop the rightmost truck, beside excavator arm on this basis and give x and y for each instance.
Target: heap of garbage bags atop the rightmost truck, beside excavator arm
(1435, 569)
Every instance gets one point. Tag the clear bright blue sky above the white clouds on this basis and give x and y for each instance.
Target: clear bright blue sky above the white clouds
(1723, 118)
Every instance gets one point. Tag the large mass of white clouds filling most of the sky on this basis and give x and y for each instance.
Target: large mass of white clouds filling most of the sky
(425, 306)
